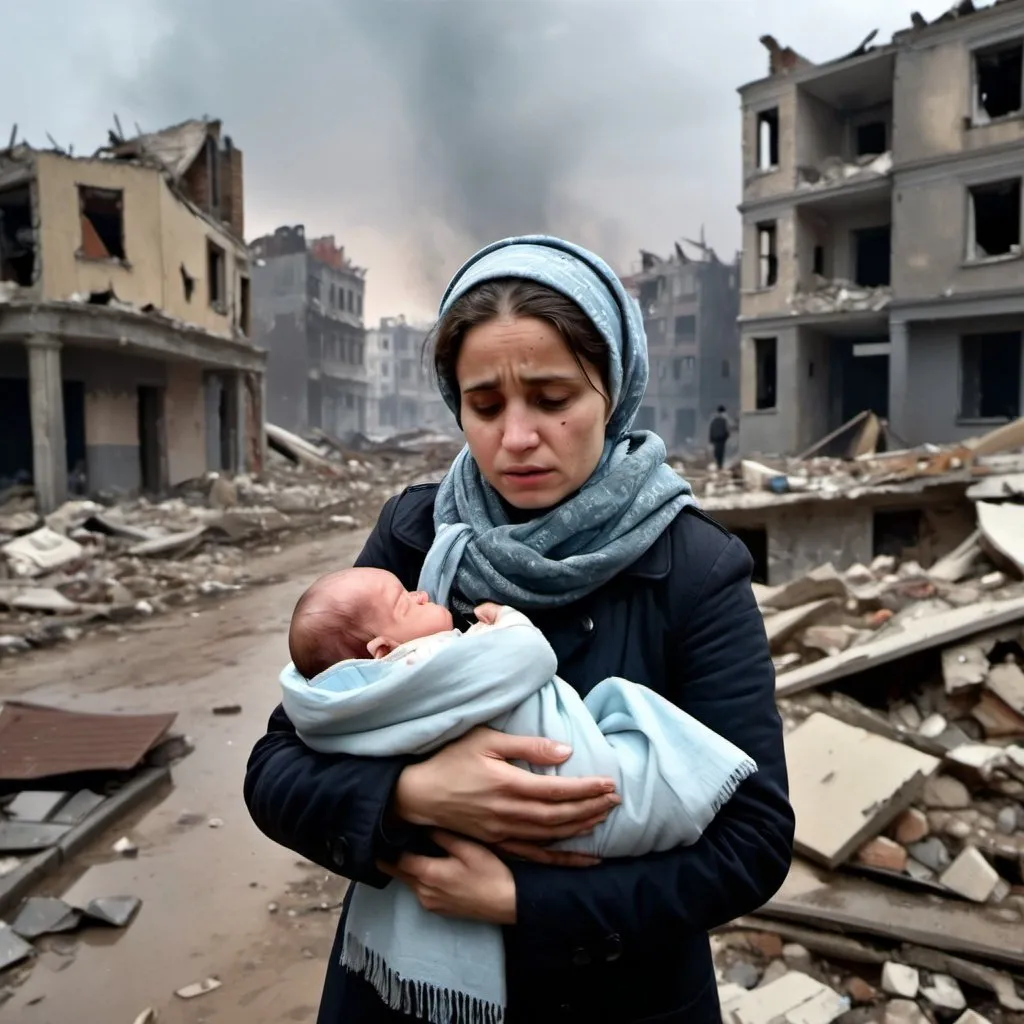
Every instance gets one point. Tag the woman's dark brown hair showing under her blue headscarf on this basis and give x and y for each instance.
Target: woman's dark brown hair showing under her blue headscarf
(509, 297)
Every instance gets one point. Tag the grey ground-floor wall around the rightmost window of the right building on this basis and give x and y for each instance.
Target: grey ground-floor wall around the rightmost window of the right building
(933, 398)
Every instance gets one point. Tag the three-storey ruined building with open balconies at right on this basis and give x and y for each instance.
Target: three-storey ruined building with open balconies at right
(883, 267)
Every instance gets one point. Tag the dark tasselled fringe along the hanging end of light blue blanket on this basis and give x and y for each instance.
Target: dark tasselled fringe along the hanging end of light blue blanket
(429, 1003)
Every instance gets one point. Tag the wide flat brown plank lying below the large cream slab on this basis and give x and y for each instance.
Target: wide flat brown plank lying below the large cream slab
(838, 904)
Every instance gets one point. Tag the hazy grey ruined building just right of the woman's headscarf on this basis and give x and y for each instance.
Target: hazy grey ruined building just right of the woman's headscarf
(690, 309)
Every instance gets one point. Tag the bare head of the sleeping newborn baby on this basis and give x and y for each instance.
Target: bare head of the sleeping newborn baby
(354, 613)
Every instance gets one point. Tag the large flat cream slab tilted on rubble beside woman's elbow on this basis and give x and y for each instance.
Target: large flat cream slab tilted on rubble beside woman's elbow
(847, 786)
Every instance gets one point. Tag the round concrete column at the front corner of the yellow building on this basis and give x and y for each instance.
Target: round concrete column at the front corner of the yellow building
(50, 452)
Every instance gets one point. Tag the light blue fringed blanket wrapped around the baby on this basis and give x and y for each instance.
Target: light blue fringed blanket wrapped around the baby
(673, 774)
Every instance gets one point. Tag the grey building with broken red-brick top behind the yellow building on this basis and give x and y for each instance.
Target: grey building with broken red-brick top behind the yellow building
(308, 313)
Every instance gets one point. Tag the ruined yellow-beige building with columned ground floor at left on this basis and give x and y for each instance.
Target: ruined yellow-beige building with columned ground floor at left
(125, 359)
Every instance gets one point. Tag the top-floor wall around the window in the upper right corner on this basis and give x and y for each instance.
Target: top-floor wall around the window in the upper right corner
(933, 93)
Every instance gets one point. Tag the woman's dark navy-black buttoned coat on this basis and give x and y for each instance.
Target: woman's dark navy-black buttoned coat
(627, 942)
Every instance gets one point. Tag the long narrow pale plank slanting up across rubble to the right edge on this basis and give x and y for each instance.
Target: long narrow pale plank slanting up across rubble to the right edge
(917, 635)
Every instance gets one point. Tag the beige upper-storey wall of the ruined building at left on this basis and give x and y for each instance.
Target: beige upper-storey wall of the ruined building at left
(161, 234)
